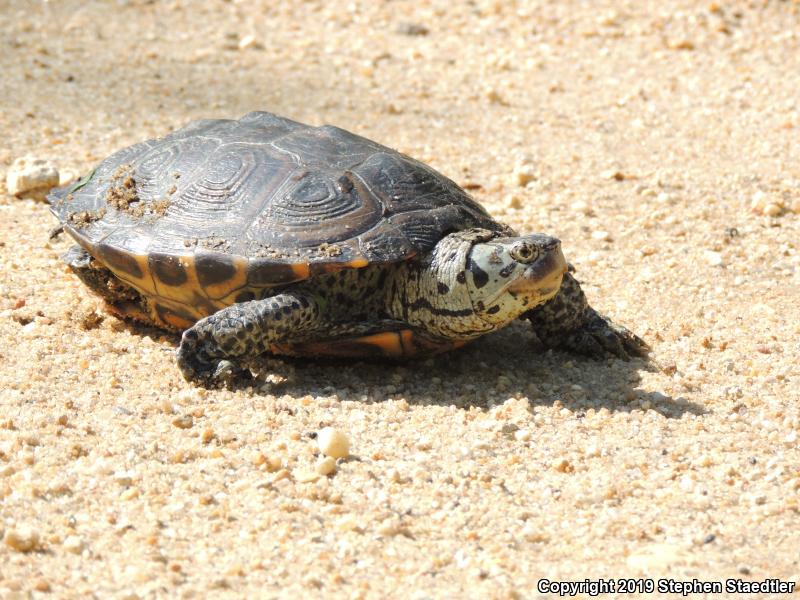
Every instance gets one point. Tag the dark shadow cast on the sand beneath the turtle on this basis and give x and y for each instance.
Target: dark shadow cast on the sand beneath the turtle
(484, 374)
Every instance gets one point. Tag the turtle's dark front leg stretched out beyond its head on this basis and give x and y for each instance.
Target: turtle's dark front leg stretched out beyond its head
(567, 322)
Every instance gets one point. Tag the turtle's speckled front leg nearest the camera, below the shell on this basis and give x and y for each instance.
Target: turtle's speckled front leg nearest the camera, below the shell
(216, 346)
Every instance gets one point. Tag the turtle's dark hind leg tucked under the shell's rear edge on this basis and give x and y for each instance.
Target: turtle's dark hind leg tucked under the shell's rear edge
(121, 299)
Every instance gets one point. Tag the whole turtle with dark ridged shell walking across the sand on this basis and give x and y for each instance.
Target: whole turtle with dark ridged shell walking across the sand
(264, 235)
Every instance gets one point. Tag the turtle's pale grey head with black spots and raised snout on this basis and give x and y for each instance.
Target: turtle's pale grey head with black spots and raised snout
(508, 276)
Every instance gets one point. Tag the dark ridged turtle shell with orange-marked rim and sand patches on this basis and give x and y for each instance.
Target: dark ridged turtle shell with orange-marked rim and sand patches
(222, 207)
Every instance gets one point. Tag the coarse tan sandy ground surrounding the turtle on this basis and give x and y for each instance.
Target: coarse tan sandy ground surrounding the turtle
(647, 131)
